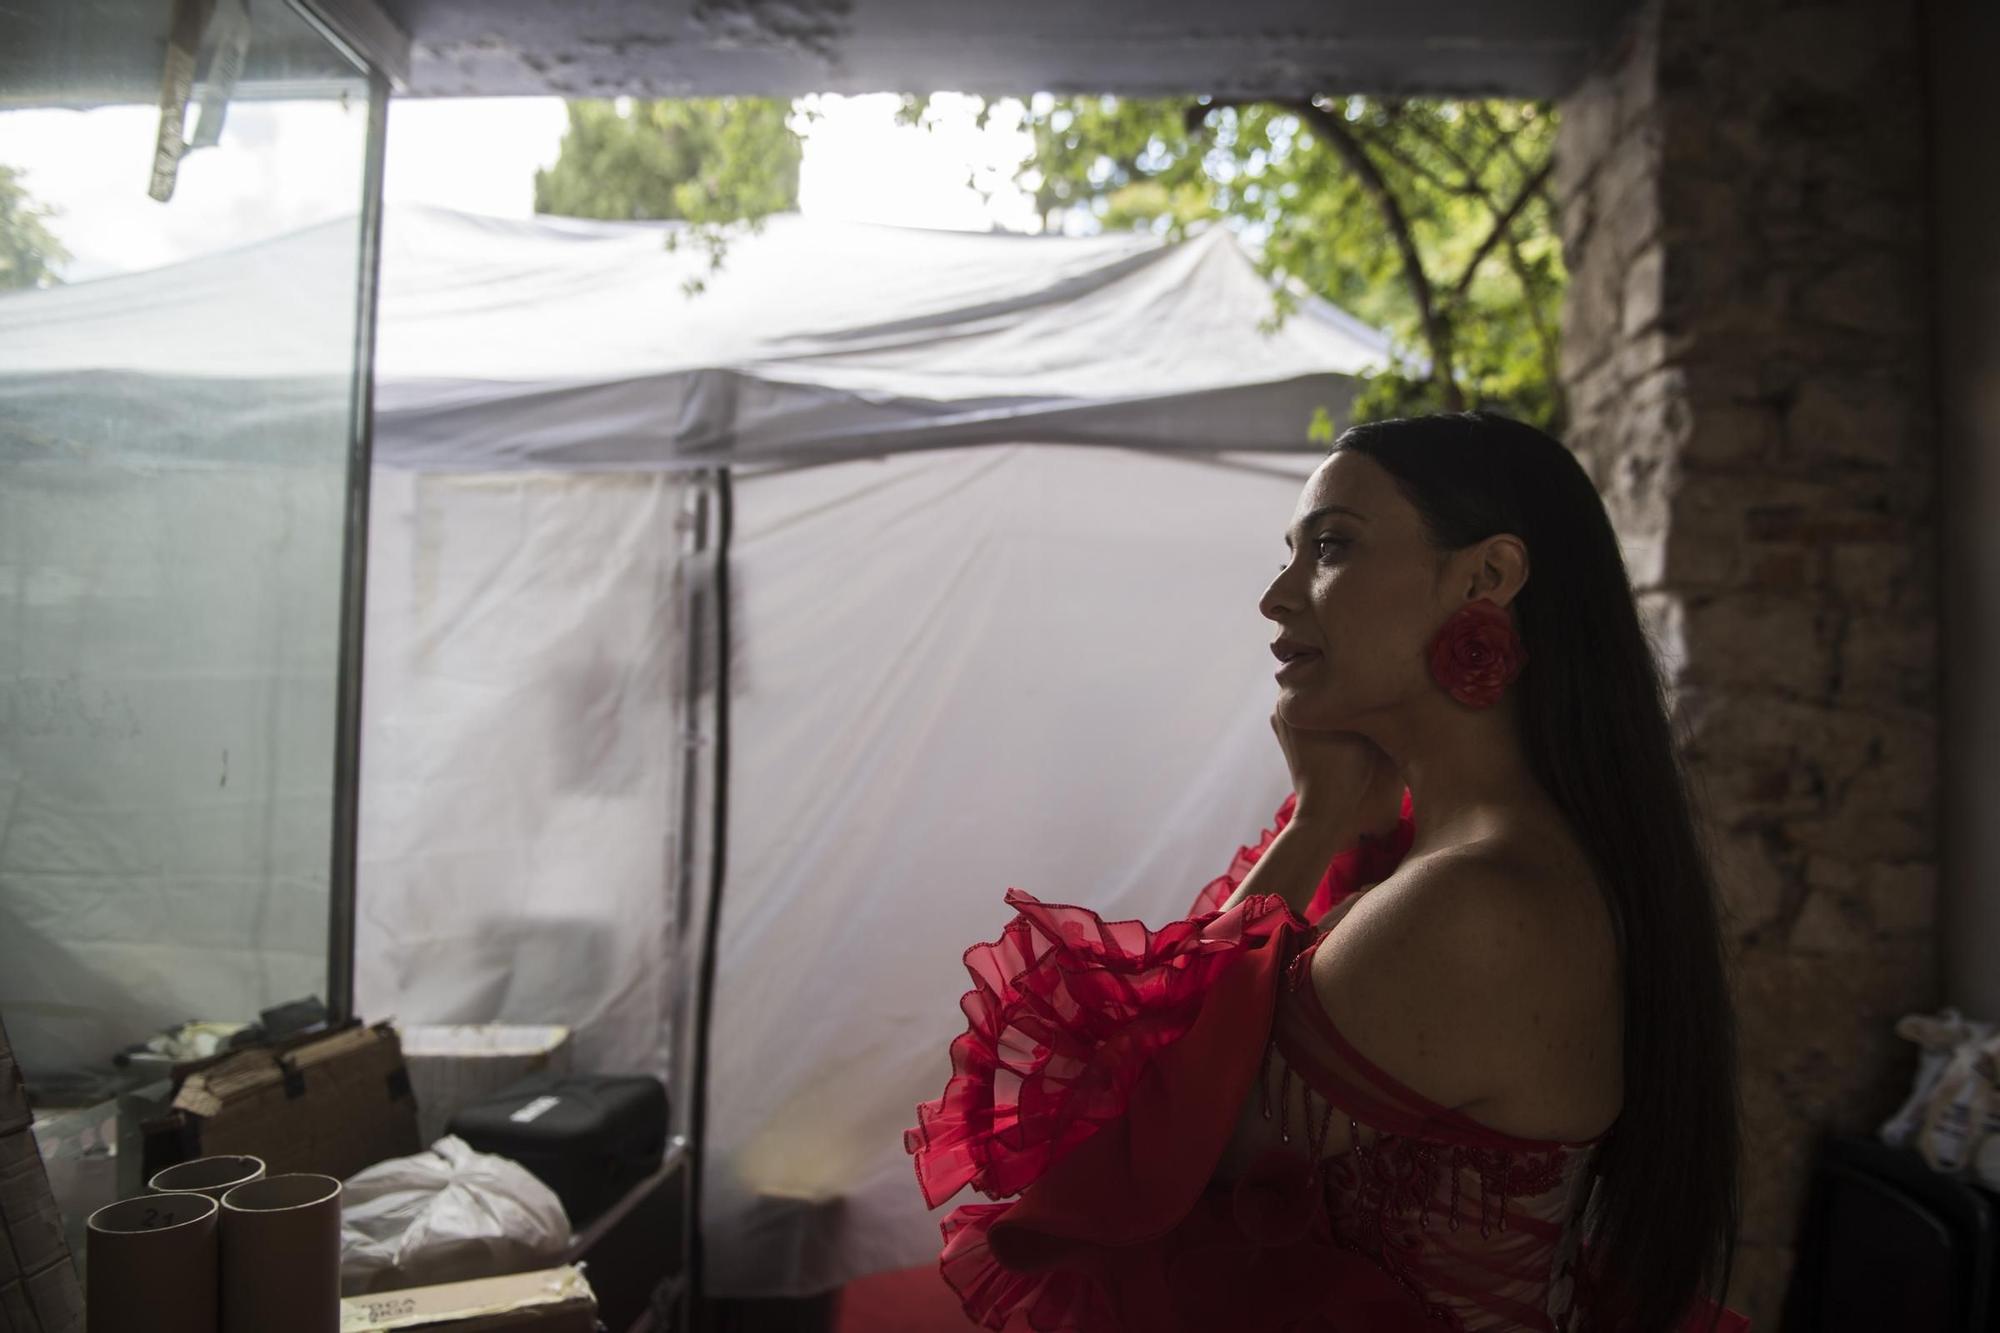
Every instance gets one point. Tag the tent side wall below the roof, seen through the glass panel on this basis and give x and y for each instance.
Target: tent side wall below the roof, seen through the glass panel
(167, 736)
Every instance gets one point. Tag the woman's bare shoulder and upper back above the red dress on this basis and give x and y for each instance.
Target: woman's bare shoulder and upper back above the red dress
(1481, 978)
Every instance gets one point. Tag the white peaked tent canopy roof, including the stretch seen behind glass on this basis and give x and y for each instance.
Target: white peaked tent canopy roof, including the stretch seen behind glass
(577, 345)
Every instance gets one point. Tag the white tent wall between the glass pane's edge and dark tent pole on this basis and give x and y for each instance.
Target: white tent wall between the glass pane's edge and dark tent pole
(519, 756)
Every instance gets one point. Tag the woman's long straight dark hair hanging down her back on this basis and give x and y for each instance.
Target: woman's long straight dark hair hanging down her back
(1597, 734)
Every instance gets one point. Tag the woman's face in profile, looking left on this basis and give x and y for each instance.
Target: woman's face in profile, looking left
(1357, 601)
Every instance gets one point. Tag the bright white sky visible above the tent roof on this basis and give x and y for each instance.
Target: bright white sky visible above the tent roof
(287, 165)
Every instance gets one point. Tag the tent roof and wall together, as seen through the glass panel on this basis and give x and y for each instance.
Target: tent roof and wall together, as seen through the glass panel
(171, 555)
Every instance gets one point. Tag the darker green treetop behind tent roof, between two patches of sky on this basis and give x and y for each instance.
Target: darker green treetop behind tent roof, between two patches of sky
(717, 163)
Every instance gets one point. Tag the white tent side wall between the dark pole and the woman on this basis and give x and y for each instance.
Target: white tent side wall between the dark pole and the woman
(963, 672)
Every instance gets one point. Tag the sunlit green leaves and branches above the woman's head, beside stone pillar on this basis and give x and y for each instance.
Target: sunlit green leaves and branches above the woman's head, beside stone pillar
(1429, 219)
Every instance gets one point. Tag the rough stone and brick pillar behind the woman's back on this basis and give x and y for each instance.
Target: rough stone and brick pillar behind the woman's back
(1747, 361)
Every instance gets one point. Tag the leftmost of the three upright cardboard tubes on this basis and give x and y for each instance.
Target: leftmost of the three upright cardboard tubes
(153, 1266)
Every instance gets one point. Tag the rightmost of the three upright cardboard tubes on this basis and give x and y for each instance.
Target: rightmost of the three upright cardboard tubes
(281, 1256)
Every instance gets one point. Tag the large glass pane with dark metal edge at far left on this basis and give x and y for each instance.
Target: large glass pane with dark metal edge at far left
(175, 437)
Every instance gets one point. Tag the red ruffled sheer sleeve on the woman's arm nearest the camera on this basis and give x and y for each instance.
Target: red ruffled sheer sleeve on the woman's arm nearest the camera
(1103, 1074)
